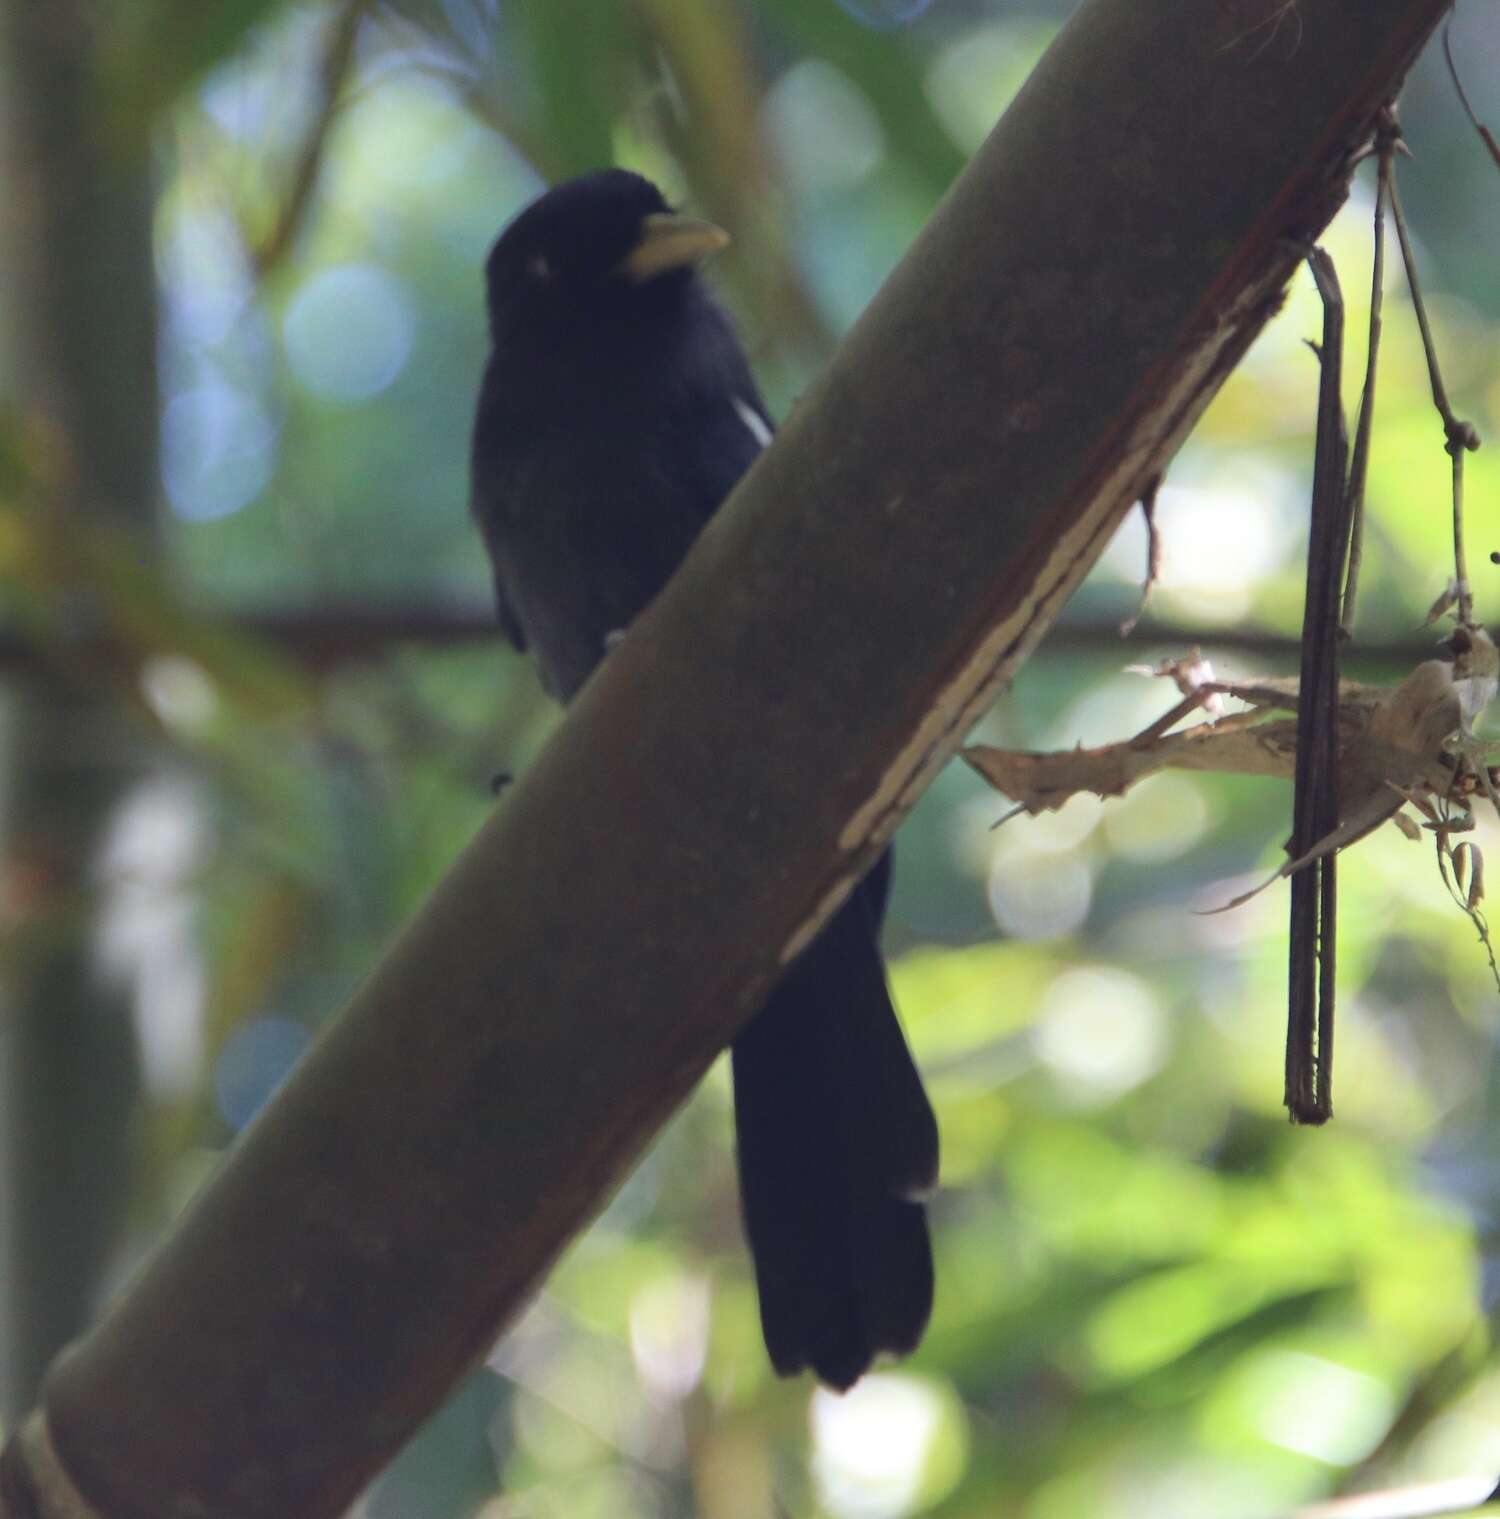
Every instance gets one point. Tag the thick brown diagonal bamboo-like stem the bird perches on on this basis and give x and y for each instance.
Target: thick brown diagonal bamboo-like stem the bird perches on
(748, 748)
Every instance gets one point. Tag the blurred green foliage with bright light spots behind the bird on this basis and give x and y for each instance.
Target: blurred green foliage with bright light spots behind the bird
(1154, 1295)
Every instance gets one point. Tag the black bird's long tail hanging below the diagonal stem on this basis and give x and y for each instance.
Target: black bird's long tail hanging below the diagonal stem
(837, 1145)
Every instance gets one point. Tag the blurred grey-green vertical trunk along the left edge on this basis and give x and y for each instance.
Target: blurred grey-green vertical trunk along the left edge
(81, 377)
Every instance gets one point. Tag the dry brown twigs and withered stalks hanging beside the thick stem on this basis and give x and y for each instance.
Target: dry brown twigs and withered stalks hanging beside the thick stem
(1356, 754)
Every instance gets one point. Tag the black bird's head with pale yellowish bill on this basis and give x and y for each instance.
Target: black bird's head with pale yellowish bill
(600, 247)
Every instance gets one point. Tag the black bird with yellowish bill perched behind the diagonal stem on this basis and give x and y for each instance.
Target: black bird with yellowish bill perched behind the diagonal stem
(616, 414)
